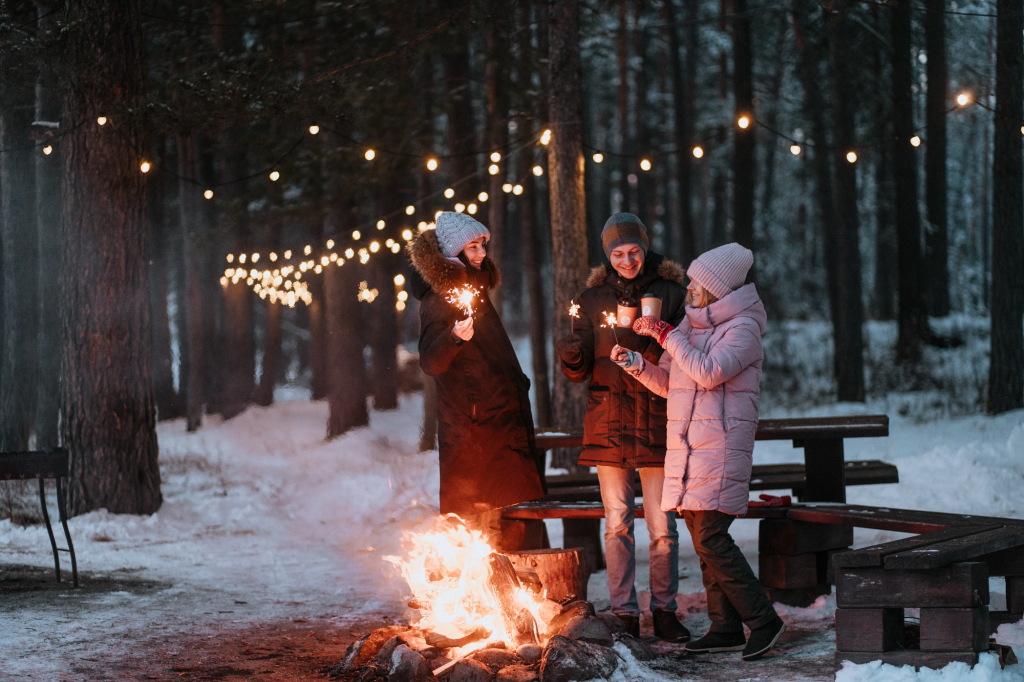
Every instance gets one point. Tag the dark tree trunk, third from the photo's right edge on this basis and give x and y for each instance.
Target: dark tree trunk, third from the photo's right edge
(911, 318)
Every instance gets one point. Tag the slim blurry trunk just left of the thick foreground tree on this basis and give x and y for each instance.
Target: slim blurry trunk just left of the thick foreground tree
(49, 226)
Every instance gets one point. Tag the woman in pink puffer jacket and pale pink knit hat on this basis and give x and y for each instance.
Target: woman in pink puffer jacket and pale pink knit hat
(711, 374)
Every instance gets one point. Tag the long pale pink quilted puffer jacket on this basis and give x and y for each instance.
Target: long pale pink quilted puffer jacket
(711, 373)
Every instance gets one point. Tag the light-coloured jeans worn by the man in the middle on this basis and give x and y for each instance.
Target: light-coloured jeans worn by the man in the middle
(620, 511)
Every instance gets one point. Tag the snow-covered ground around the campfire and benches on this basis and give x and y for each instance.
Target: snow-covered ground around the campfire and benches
(265, 521)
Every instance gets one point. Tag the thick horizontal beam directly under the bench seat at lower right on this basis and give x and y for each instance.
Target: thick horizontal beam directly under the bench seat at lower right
(960, 585)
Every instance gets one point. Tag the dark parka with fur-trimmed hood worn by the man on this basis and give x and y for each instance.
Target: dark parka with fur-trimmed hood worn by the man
(626, 424)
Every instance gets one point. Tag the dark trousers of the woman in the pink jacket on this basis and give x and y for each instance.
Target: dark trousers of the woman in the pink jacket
(735, 594)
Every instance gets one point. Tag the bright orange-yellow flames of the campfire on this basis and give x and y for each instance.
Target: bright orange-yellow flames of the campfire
(448, 571)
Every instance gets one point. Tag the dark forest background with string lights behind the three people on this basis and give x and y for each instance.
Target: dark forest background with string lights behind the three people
(202, 202)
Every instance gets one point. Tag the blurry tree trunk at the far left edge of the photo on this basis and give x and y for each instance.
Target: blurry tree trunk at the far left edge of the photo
(21, 244)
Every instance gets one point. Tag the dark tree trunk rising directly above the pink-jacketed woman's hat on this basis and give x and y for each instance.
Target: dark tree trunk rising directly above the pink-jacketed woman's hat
(743, 150)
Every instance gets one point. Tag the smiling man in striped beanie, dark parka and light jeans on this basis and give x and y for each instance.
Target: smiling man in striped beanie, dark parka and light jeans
(626, 425)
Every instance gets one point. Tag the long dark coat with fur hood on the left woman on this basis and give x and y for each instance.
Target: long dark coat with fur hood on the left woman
(485, 424)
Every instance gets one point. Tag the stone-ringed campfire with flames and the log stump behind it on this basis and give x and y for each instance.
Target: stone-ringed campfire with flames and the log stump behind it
(484, 615)
